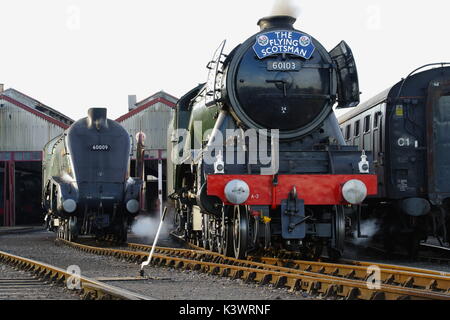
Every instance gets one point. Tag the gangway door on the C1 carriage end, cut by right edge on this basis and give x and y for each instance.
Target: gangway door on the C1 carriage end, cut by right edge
(438, 127)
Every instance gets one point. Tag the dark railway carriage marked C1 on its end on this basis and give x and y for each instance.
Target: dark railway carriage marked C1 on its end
(407, 129)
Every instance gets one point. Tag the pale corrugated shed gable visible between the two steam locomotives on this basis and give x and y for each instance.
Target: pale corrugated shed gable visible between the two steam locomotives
(151, 116)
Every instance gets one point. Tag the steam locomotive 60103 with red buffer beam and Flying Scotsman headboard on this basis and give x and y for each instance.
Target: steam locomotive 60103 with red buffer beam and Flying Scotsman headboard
(282, 85)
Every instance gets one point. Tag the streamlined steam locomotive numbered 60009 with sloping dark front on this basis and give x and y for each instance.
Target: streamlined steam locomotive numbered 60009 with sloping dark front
(86, 187)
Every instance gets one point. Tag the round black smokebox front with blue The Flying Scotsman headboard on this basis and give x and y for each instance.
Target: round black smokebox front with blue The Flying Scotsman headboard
(294, 92)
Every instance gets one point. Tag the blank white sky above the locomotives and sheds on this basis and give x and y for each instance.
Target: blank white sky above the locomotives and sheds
(76, 54)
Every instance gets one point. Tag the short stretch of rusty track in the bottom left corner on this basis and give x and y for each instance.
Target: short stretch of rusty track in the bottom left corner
(41, 276)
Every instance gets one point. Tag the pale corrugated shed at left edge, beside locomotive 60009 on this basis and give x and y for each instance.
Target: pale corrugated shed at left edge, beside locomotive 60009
(26, 125)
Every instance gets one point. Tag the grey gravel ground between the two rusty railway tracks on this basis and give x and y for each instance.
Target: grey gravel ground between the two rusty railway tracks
(163, 283)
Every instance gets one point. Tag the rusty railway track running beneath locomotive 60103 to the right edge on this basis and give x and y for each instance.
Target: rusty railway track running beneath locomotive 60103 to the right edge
(348, 281)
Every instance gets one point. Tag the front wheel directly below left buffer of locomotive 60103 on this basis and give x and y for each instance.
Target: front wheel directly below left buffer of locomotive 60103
(240, 231)
